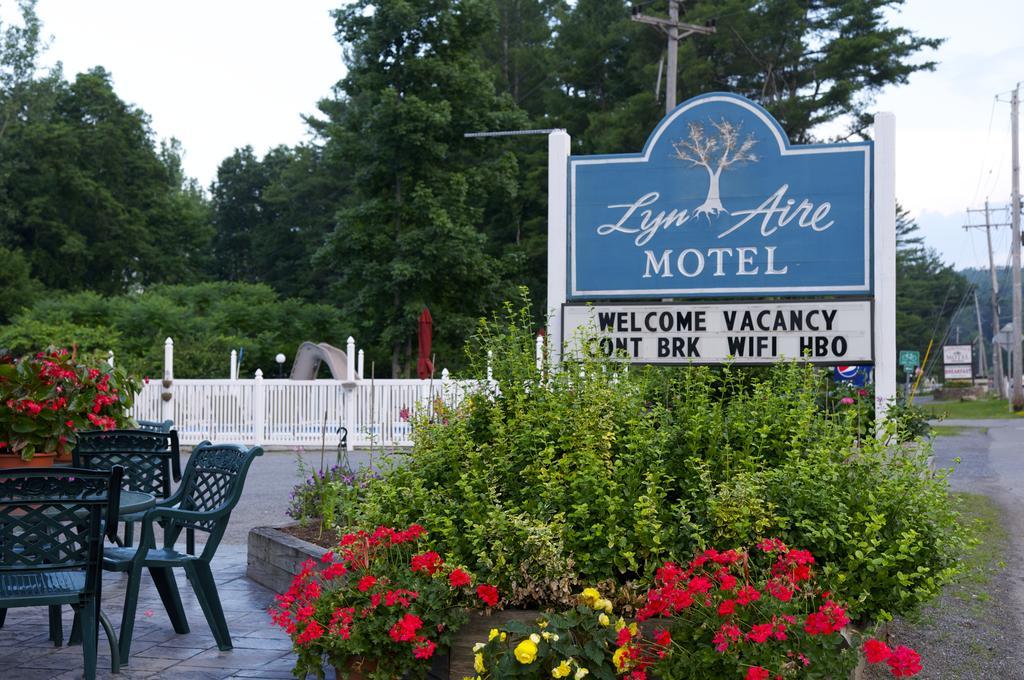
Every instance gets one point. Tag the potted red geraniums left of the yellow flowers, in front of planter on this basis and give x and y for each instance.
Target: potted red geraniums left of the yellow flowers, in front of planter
(378, 608)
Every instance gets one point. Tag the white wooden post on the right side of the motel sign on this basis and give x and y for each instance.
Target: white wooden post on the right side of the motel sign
(885, 264)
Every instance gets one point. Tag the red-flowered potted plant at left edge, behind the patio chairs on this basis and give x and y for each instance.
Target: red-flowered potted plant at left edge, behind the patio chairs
(48, 398)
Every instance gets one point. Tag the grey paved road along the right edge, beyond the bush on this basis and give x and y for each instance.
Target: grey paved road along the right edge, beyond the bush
(993, 463)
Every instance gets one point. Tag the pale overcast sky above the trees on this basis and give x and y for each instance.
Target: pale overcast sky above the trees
(223, 74)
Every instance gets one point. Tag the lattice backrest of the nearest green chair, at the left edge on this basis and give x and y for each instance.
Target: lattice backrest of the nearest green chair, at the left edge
(52, 520)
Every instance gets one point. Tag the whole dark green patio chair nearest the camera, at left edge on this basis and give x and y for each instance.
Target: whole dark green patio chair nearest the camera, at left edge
(52, 527)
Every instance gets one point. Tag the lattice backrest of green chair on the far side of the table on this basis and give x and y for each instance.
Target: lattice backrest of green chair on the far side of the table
(152, 460)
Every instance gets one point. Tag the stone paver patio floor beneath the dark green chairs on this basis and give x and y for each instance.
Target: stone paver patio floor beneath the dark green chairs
(261, 650)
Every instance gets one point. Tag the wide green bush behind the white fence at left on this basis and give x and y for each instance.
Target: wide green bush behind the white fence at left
(206, 321)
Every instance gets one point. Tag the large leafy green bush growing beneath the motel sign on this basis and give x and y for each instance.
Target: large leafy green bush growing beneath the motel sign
(593, 475)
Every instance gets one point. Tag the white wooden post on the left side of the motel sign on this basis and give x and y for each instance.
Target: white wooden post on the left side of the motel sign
(559, 154)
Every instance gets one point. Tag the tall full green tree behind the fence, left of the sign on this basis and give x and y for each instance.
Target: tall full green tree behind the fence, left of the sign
(410, 234)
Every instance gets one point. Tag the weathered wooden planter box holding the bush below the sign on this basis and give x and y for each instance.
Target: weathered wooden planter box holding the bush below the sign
(276, 558)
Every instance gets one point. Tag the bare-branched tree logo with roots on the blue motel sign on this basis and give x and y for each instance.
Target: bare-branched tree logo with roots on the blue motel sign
(715, 153)
